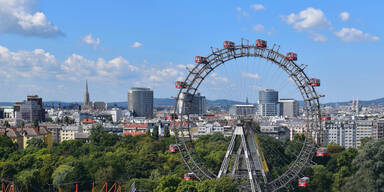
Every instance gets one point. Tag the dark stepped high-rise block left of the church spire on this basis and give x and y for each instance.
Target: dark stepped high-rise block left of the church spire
(31, 109)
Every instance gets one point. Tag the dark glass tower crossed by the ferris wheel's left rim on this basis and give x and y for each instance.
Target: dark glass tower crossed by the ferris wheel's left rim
(192, 104)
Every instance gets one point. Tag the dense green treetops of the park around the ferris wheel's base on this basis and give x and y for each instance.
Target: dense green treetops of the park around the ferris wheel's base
(145, 160)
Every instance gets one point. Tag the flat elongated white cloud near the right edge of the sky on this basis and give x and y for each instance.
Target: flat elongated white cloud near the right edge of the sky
(355, 35)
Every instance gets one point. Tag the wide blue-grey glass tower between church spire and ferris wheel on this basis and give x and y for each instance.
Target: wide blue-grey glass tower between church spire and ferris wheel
(140, 102)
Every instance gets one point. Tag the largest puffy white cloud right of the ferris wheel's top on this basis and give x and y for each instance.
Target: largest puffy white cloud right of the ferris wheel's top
(309, 18)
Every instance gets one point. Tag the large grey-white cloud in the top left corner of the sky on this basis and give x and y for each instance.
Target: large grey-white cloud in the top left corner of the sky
(18, 17)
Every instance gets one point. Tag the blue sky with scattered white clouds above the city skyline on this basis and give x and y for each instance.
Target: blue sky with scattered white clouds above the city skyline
(50, 47)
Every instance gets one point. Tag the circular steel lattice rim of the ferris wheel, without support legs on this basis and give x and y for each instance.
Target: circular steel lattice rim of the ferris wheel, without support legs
(296, 72)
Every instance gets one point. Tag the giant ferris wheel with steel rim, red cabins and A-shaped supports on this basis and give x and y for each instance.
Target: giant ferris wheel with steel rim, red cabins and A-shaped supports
(253, 159)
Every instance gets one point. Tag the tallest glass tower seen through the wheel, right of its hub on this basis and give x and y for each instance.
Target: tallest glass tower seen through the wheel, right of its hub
(268, 102)
